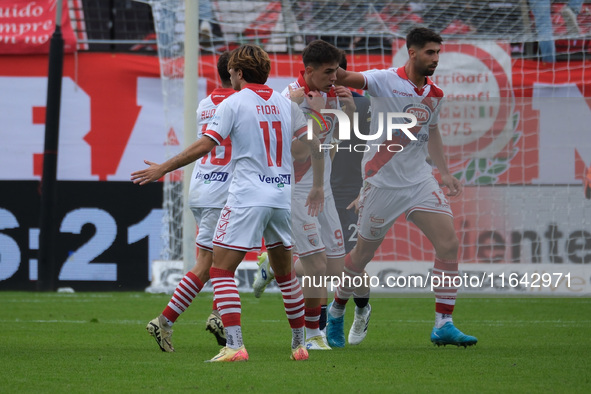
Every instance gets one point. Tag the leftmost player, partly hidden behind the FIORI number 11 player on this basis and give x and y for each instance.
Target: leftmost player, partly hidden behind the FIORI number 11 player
(208, 192)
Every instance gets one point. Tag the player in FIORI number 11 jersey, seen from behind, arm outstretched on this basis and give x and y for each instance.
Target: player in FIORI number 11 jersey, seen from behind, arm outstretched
(261, 124)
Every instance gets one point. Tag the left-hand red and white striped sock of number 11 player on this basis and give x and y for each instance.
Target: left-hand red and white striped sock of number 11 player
(225, 295)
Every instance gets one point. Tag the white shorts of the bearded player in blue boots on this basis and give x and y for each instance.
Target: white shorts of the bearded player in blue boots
(379, 207)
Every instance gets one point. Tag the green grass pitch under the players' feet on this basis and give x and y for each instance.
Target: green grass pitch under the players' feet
(97, 342)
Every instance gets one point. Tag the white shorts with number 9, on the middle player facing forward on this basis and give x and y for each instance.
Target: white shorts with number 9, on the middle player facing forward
(316, 234)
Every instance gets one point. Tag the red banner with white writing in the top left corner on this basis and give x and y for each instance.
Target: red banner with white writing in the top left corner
(27, 26)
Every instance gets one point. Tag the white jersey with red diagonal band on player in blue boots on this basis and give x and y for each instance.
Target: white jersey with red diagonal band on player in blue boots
(392, 91)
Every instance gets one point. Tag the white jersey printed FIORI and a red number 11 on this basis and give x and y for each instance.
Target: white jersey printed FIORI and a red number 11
(261, 124)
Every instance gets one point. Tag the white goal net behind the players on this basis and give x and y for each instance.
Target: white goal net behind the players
(515, 125)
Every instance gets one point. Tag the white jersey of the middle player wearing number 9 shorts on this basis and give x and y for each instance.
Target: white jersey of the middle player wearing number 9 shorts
(303, 171)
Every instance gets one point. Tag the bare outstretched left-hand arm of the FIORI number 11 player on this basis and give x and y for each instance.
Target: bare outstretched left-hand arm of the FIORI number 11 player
(156, 171)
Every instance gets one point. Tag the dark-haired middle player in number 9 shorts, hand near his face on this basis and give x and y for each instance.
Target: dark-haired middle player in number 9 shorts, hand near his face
(318, 240)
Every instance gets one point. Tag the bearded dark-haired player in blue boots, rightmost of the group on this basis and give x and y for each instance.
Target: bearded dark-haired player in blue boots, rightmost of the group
(397, 182)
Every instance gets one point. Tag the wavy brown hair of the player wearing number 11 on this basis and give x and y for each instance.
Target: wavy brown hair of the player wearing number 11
(253, 61)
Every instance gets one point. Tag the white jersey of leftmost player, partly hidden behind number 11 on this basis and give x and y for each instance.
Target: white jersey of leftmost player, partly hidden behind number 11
(212, 174)
